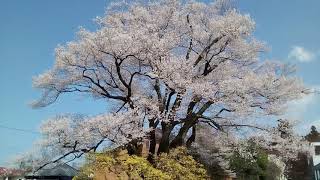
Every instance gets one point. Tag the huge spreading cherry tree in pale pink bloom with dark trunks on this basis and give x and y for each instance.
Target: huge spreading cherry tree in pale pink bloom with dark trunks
(170, 65)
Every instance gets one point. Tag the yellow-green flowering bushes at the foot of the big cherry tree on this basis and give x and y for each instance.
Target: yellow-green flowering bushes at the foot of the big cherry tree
(119, 165)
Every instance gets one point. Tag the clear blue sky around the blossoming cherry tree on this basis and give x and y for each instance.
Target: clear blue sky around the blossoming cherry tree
(30, 30)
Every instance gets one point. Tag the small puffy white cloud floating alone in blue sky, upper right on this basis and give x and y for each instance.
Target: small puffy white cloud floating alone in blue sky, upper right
(301, 54)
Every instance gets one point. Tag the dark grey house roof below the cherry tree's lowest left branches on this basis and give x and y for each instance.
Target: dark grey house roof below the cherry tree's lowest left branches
(59, 170)
